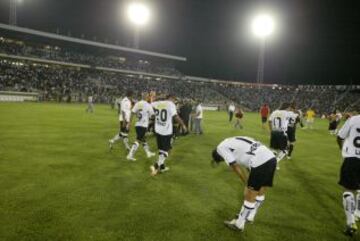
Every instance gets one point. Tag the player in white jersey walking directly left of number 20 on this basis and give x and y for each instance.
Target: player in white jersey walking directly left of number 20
(143, 111)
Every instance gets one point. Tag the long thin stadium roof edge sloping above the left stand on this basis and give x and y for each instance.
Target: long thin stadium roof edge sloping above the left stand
(88, 42)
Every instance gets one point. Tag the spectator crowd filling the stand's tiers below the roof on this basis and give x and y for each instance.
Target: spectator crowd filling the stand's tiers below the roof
(56, 82)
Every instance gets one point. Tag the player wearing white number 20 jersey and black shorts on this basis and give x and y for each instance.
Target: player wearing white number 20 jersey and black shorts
(165, 112)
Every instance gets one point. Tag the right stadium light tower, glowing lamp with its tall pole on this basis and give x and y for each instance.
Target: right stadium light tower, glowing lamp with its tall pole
(262, 27)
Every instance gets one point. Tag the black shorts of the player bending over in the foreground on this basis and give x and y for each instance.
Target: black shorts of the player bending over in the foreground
(262, 176)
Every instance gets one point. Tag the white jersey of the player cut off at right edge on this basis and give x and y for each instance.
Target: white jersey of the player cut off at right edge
(350, 132)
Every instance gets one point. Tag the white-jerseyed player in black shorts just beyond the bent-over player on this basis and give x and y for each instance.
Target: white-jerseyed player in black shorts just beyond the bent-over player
(278, 123)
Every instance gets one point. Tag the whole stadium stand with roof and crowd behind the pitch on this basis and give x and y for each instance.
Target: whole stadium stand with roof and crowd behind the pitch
(66, 70)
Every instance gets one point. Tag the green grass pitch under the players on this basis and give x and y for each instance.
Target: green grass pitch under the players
(58, 181)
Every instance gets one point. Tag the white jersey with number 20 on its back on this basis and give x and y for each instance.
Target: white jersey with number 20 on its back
(164, 112)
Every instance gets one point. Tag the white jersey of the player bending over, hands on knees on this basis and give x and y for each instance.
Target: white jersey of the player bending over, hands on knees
(244, 151)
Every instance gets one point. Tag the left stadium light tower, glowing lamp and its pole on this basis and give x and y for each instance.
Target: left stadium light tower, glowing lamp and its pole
(139, 15)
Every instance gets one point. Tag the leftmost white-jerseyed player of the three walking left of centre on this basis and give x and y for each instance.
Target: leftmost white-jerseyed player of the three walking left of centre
(124, 118)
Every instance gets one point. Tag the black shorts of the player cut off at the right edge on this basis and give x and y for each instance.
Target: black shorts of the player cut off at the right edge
(350, 173)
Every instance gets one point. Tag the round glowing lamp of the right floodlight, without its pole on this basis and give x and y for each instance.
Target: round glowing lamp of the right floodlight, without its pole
(263, 25)
